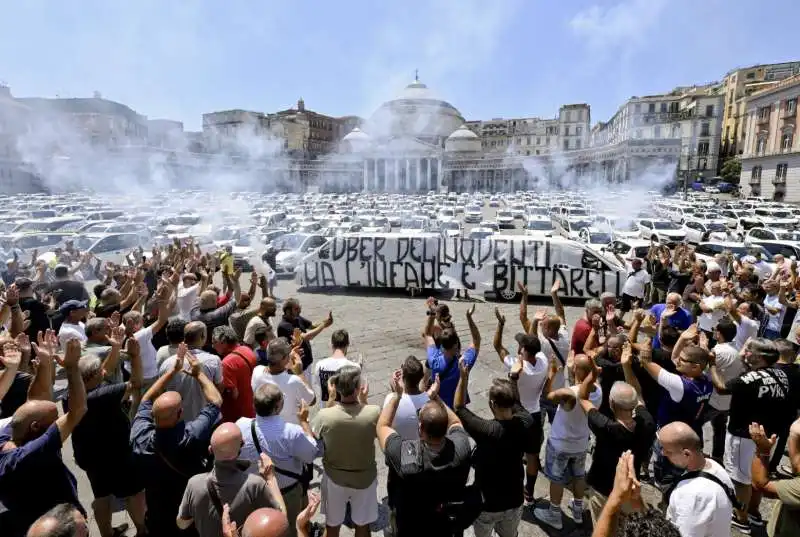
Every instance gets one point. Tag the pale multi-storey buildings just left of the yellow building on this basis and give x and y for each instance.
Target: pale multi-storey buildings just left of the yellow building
(690, 115)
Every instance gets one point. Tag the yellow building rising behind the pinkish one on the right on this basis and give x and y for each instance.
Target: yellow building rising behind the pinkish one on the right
(737, 86)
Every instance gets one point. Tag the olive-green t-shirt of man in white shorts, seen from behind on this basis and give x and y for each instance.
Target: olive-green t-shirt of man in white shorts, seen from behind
(348, 431)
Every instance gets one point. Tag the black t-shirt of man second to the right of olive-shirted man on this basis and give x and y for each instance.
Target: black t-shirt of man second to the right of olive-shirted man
(499, 449)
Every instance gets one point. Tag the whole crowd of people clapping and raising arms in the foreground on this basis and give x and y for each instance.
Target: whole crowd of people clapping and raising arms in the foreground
(192, 404)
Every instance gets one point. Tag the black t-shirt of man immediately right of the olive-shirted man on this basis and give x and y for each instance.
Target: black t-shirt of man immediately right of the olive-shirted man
(427, 479)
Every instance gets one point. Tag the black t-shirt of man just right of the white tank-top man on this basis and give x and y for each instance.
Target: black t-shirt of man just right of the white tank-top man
(613, 439)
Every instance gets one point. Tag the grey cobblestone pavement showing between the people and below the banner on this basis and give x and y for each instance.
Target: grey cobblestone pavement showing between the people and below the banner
(386, 329)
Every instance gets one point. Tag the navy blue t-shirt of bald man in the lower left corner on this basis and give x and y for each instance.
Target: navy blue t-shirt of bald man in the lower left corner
(37, 462)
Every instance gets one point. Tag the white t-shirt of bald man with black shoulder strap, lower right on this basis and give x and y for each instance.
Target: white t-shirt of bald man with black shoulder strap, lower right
(699, 507)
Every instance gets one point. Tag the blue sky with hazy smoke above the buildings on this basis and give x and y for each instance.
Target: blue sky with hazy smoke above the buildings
(178, 59)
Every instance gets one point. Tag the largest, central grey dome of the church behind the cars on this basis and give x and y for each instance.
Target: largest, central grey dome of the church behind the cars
(416, 113)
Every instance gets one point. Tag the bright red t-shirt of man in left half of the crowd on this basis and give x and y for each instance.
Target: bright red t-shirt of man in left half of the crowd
(237, 370)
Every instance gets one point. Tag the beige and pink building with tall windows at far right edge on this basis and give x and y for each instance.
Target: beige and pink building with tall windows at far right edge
(771, 151)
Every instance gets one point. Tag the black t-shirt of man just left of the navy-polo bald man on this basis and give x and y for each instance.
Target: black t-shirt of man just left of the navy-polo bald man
(103, 434)
